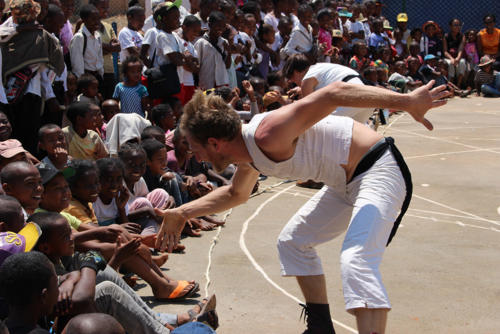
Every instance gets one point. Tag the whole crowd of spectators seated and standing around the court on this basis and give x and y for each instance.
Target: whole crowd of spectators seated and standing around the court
(92, 155)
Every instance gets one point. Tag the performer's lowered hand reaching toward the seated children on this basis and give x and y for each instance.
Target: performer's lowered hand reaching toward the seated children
(170, 231)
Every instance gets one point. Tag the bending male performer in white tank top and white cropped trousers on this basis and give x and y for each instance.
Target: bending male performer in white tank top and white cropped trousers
(367, 184)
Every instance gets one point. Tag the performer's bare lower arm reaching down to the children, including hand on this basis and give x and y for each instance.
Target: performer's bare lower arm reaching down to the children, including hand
(220, 199)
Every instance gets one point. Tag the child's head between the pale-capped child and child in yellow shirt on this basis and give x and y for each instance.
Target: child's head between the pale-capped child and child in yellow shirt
(51, 141)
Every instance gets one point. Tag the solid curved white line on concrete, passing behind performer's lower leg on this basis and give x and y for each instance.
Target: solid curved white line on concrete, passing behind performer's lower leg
(260, 269)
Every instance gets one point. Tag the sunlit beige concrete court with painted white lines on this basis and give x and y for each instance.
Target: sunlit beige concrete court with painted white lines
(442, 270)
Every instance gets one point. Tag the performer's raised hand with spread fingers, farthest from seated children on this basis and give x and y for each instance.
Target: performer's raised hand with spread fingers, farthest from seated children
(425, 98)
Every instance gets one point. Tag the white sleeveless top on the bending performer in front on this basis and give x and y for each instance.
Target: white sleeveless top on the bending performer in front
(318, 154)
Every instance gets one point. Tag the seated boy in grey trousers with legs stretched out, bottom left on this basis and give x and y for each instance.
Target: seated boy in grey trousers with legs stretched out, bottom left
(95, 280)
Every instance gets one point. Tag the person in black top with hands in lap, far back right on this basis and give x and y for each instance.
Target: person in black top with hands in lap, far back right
(453, 48)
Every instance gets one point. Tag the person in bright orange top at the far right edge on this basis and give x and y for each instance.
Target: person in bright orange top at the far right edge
(488, 40)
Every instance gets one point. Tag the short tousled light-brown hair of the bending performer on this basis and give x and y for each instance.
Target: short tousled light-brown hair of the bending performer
(209, 117)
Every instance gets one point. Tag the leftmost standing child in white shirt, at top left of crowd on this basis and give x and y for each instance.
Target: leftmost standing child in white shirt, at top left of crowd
(86, 45)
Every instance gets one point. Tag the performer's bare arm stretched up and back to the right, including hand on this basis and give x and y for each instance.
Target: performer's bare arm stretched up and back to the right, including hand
(290, 121)
